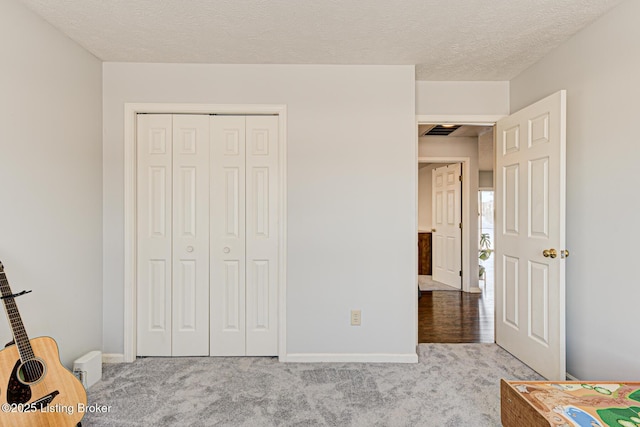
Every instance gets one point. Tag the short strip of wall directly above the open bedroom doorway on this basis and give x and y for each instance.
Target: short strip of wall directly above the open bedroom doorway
(462, 98)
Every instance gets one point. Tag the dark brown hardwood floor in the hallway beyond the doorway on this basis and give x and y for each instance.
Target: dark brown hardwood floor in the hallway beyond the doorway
(456, 317)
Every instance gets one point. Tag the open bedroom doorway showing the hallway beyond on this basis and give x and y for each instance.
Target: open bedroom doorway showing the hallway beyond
(465, 314)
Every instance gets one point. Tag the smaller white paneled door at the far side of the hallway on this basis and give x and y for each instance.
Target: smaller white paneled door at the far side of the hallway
(447, 220)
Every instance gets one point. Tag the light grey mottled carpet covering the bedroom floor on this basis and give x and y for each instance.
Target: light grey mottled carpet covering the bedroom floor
(452, 385)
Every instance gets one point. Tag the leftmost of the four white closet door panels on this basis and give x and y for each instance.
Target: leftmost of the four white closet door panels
(154, 234)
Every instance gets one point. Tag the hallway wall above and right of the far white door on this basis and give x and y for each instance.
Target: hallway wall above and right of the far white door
(461, 146)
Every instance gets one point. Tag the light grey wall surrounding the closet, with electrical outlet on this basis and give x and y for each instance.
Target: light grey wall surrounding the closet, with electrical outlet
(351, 192)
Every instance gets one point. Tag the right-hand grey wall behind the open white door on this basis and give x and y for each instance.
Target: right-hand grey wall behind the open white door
(599, 68)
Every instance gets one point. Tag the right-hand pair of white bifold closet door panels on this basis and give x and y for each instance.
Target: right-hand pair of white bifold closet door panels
(244, 235)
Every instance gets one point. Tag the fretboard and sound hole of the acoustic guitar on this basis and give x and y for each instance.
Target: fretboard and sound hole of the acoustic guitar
(31, 371)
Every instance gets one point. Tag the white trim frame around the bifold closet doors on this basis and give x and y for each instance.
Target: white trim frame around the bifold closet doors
(130, 164)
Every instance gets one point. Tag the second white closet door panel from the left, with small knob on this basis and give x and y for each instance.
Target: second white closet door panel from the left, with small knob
(190, 235)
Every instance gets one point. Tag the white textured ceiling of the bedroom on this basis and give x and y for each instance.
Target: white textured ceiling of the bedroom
(445, 39)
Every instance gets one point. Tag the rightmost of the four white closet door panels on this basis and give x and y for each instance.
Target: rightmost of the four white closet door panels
(262, 235)
